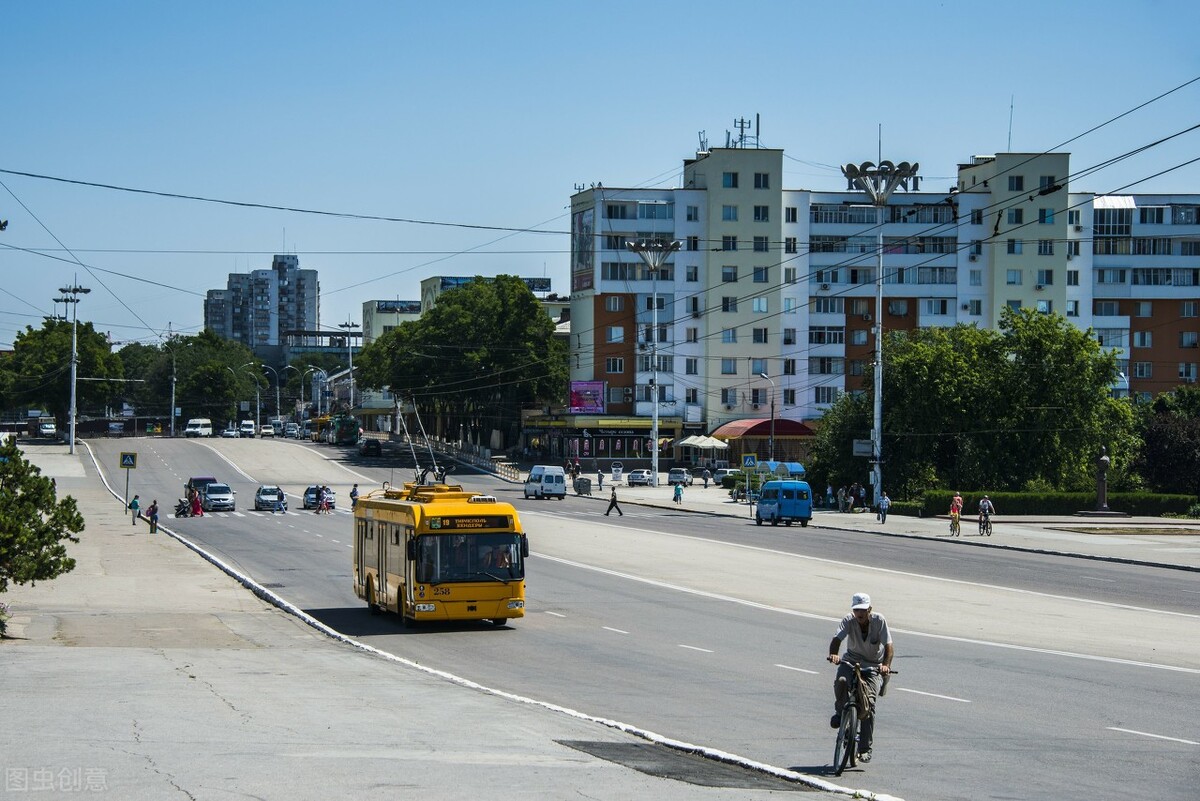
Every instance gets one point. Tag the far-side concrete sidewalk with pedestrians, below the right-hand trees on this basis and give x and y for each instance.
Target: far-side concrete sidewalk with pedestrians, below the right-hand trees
(1136, 540)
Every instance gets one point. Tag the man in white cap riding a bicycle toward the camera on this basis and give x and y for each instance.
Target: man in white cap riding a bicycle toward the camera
(869, 646)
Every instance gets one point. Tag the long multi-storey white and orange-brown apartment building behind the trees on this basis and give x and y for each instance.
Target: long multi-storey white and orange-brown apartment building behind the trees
(770, 304)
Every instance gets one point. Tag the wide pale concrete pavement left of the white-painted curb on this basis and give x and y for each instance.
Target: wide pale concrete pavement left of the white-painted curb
(149, 674)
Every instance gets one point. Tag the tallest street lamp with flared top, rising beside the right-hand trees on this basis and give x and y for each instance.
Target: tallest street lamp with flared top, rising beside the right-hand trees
(879, 183)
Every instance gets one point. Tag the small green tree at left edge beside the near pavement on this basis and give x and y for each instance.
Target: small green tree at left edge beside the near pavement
(34, 525)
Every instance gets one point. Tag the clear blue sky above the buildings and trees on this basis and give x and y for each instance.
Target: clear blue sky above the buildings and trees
(491, 113)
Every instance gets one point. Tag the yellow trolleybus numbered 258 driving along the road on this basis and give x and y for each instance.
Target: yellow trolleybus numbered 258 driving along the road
(434, 552)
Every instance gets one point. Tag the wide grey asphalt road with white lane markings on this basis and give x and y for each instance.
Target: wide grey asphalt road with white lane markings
(1021, 676)
